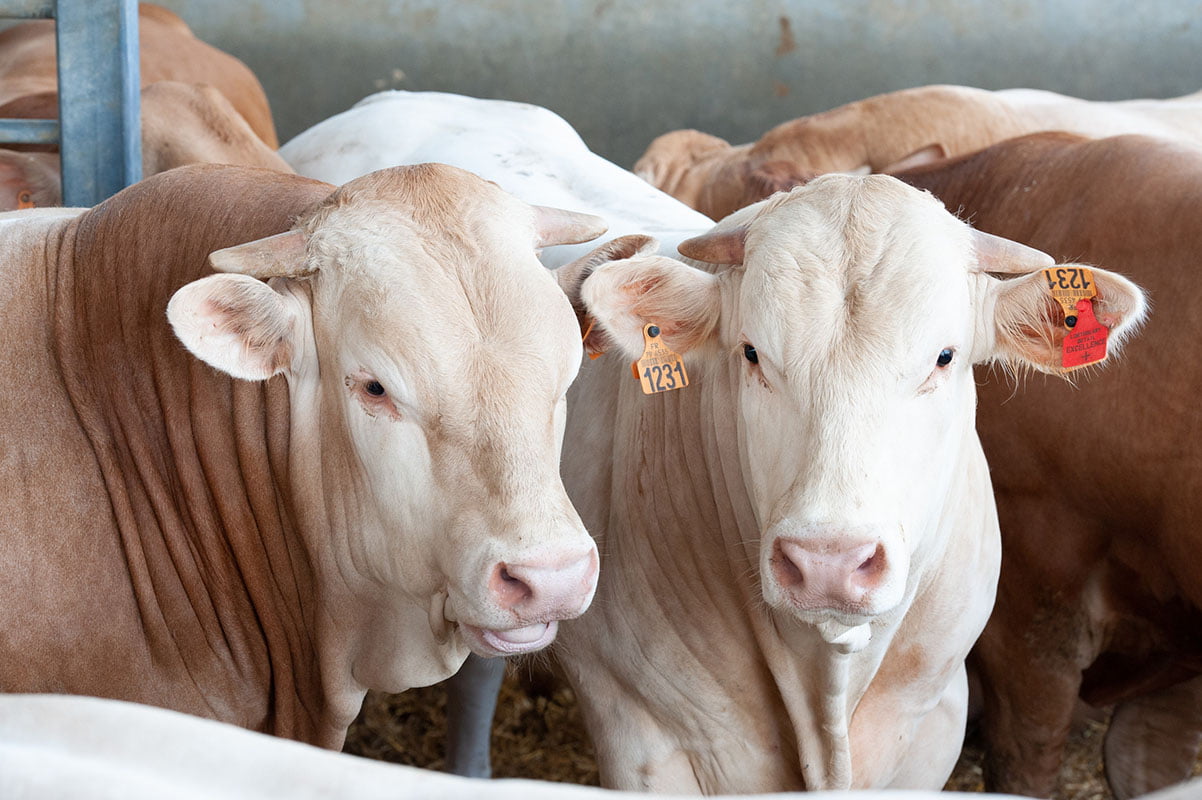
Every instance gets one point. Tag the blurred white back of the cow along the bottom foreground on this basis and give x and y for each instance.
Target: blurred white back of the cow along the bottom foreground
(62, 748)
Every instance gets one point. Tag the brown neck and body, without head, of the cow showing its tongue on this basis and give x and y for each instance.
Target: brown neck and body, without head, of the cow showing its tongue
(165, 566)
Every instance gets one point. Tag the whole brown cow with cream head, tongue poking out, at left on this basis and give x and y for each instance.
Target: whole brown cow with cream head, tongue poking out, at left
(329, 468)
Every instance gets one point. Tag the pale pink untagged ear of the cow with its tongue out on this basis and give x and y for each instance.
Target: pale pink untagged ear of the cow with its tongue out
(239, 325)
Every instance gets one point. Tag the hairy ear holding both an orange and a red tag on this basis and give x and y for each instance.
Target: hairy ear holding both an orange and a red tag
(1030, 324)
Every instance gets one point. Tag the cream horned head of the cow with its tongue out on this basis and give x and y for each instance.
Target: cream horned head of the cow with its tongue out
(429, 355)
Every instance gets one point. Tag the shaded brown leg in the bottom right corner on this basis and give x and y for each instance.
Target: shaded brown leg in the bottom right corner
(1153, 741)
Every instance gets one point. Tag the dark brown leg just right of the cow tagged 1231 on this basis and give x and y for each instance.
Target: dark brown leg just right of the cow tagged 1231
(1030, 702)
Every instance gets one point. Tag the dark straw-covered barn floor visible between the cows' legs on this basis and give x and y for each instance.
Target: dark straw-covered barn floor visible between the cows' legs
(538, 735)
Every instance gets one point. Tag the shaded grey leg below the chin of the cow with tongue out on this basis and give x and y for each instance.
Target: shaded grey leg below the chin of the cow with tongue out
(472, 703)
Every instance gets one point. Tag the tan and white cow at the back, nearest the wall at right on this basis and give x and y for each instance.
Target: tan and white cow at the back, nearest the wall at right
(888, 133)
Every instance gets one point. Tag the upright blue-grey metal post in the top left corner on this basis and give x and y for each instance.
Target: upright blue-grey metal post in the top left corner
(99, 98)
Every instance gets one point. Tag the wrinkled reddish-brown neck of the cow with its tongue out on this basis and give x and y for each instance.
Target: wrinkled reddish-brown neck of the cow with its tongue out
(195, 464)
